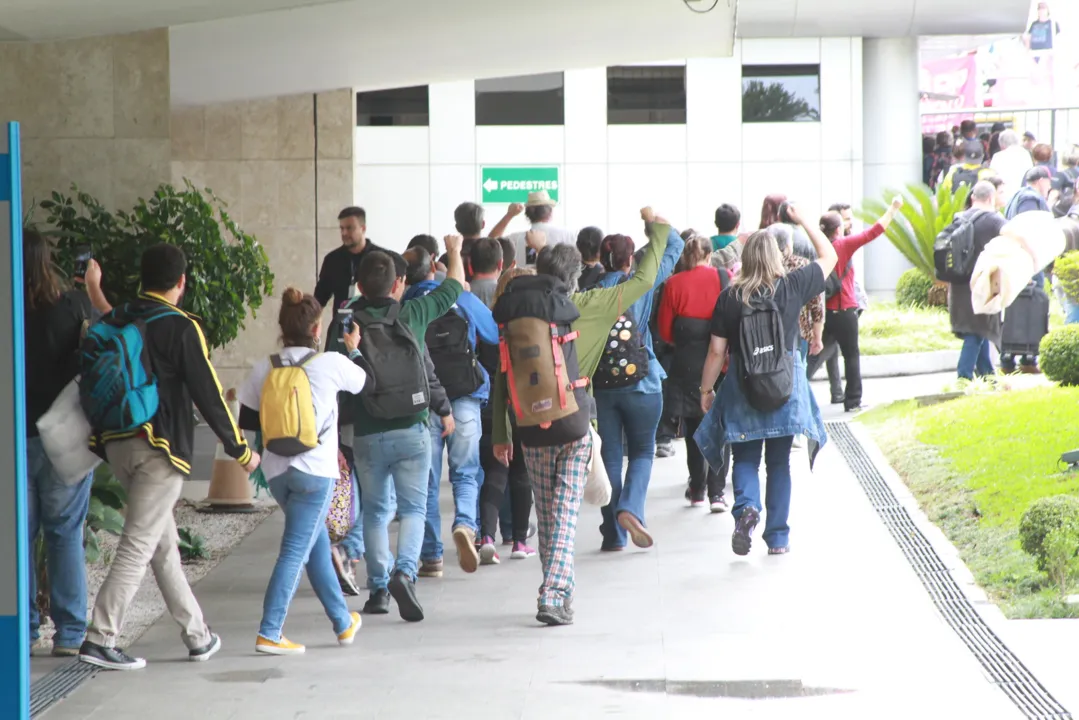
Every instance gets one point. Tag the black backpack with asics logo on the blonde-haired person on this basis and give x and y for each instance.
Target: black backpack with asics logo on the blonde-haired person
(768, 370)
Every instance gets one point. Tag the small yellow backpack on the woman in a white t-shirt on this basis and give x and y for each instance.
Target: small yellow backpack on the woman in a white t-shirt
(288, 410)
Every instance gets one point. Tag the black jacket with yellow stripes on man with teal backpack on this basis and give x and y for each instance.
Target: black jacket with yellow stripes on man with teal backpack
(180, 359)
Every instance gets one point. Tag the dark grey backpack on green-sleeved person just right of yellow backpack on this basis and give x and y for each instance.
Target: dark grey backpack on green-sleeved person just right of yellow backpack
(400, 387)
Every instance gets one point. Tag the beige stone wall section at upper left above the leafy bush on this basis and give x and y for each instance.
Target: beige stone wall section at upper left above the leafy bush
(93, 112)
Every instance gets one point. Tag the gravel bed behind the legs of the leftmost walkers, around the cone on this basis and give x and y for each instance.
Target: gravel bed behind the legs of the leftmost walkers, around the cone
(222, 533)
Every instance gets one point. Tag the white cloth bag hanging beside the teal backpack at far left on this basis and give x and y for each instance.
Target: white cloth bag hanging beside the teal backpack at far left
(65, 437)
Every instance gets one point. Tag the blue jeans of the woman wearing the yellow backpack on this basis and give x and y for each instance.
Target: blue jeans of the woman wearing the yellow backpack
(306, 500)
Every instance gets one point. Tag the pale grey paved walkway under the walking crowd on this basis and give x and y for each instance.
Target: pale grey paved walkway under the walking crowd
(841, 629)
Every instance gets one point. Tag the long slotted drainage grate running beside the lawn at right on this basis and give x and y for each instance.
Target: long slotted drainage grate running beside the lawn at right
(1004, 669)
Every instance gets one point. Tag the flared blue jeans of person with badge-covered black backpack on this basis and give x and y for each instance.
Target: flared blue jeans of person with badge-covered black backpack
(638, 415)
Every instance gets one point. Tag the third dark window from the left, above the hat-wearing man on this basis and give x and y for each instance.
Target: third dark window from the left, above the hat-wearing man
(647, 96)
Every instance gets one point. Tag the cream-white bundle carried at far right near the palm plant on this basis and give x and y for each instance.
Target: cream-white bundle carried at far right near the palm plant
(1027, 246)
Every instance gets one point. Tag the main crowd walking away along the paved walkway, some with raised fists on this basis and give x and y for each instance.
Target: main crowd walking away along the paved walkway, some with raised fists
(515, 357)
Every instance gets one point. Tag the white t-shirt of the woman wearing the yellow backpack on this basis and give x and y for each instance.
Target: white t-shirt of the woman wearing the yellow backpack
(330, 374)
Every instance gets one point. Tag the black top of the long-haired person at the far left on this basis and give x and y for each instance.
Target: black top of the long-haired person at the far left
(53, 336)
